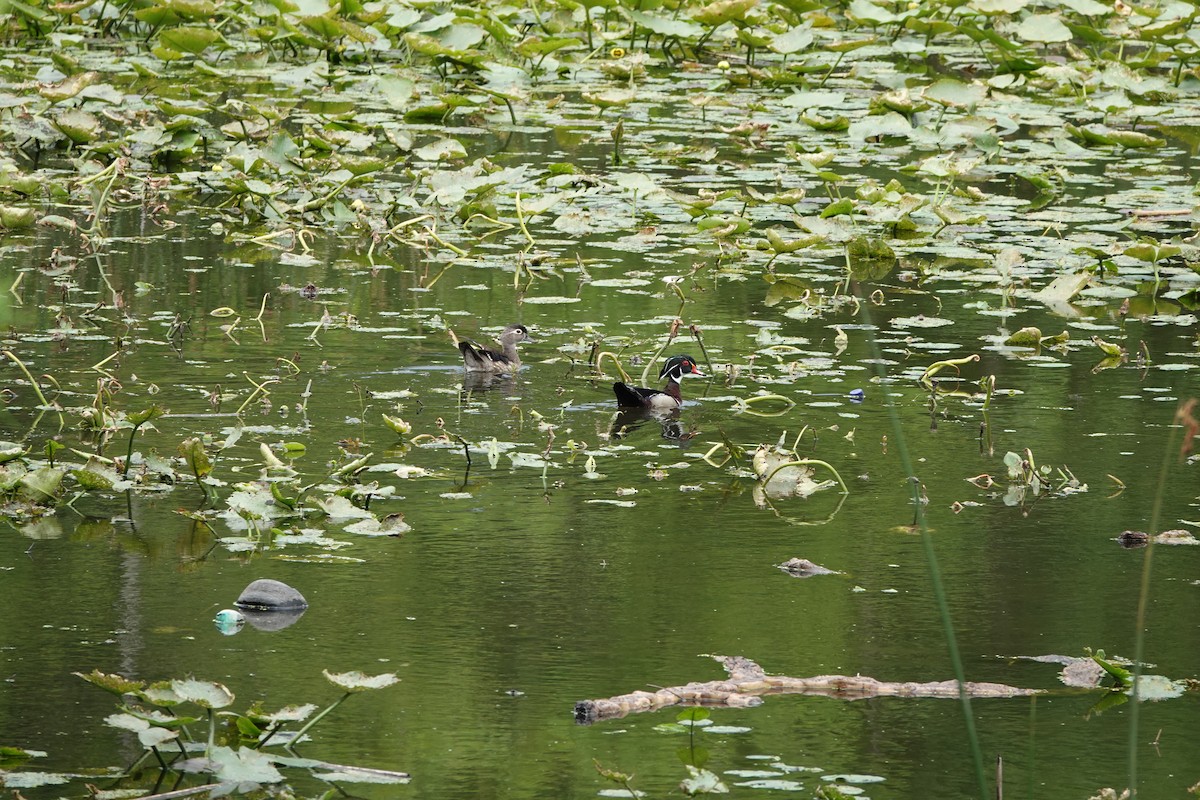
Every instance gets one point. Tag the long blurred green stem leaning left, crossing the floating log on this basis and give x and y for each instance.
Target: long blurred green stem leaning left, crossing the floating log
(935, 576)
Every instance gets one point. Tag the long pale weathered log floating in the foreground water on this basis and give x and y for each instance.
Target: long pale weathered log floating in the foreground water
(748, 683)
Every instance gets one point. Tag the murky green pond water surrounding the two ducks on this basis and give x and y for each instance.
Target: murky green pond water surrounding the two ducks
(533, 582)
